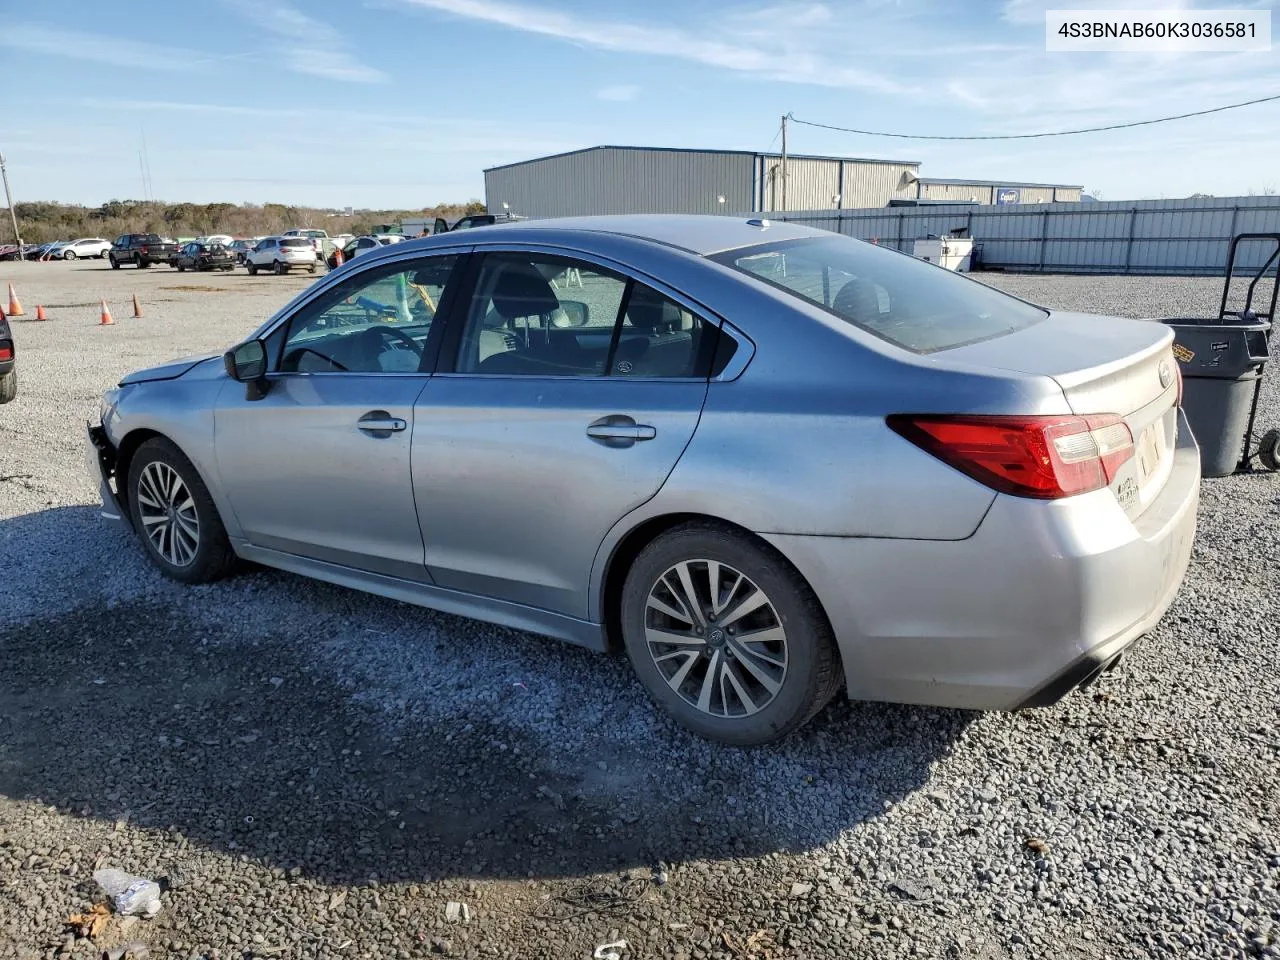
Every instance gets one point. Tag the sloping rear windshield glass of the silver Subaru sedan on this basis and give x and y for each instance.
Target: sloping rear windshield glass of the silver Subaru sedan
(906, 301)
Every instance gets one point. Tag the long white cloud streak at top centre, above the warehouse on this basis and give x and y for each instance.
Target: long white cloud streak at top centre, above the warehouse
(769, 48)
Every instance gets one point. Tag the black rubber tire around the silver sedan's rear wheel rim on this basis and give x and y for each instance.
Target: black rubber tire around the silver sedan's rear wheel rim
(813, 673)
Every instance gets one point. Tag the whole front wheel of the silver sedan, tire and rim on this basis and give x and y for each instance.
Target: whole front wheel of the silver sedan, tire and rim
(176, 518)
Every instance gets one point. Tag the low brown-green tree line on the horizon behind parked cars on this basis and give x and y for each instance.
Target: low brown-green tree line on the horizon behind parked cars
(42, 222)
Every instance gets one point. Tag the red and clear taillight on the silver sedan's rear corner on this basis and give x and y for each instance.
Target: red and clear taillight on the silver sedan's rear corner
(1044, 458)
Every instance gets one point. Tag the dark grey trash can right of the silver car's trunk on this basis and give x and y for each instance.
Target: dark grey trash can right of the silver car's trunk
(1222, 364)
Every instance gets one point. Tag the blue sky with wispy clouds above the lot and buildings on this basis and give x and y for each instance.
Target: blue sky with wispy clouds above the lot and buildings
(404, 103)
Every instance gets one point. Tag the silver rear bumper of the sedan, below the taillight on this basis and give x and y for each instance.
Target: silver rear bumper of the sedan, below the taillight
(1032, 605)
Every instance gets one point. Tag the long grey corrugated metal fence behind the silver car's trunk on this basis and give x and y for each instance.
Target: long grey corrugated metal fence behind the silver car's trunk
(1114, 237)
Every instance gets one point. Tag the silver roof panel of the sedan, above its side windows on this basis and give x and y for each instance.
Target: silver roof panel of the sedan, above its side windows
(696, 234)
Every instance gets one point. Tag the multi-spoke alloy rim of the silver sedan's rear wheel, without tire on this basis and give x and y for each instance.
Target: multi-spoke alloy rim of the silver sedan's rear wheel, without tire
(716, 639)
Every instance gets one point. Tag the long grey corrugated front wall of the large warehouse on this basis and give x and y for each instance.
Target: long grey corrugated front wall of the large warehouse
(625, 182)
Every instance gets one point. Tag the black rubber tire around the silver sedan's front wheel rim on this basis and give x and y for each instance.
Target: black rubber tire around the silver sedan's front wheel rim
(214, 557)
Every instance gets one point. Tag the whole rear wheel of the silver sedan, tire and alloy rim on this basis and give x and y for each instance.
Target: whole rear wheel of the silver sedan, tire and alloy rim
(728, 637)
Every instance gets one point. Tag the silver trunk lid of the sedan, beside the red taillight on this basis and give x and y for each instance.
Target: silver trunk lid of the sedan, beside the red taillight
(1104, 365)
